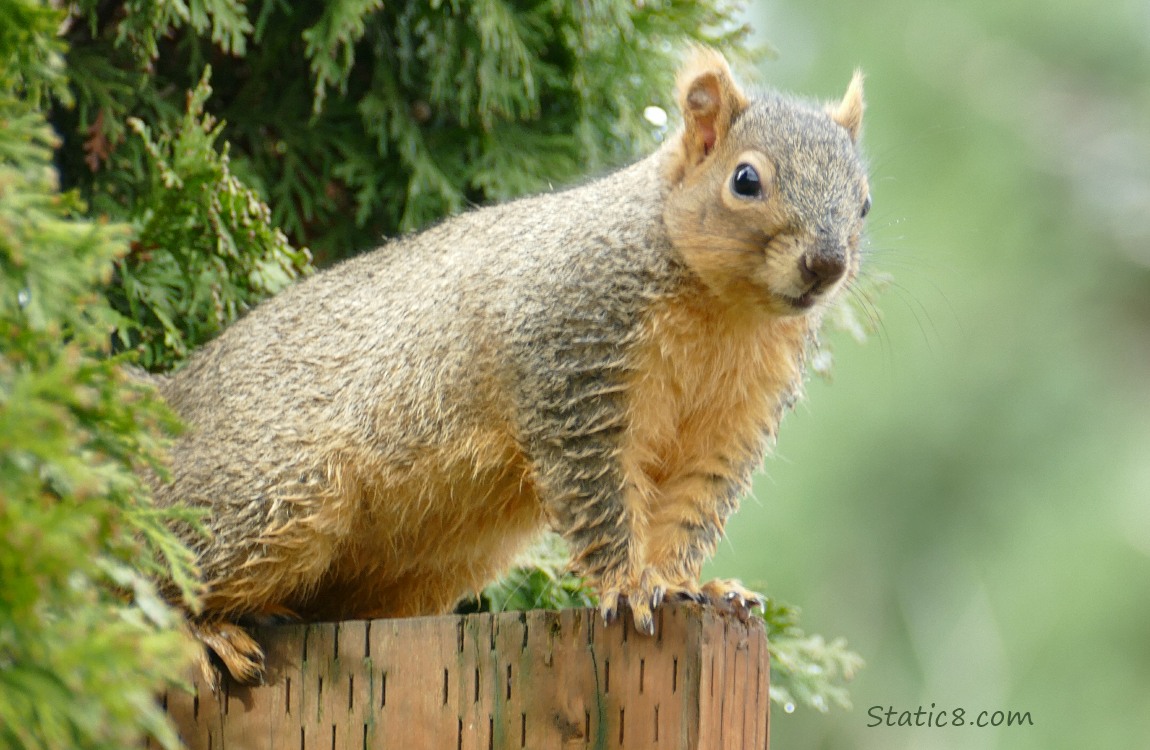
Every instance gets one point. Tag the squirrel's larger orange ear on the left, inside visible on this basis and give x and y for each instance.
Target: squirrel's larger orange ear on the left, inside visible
(709, 100)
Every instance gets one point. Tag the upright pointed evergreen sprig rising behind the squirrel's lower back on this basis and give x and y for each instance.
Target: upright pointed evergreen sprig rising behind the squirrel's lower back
(179, 289)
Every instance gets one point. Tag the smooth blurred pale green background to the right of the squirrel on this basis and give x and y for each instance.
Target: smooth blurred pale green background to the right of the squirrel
(969, 501)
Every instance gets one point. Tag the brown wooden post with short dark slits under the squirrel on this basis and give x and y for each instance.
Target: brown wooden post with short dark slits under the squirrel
(518, 680)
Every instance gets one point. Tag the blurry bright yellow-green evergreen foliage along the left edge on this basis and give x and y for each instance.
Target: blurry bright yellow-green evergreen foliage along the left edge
(85, 638)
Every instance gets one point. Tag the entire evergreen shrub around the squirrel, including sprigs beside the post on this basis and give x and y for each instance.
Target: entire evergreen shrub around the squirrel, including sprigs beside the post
(163, 167)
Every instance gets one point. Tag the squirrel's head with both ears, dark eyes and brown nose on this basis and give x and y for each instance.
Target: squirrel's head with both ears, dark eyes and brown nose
(769, 195)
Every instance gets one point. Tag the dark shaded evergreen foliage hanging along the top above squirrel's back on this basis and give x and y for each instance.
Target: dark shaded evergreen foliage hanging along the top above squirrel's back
(358, 119)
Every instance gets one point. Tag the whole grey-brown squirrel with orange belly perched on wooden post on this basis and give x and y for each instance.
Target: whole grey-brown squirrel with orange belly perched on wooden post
(610, 361)
